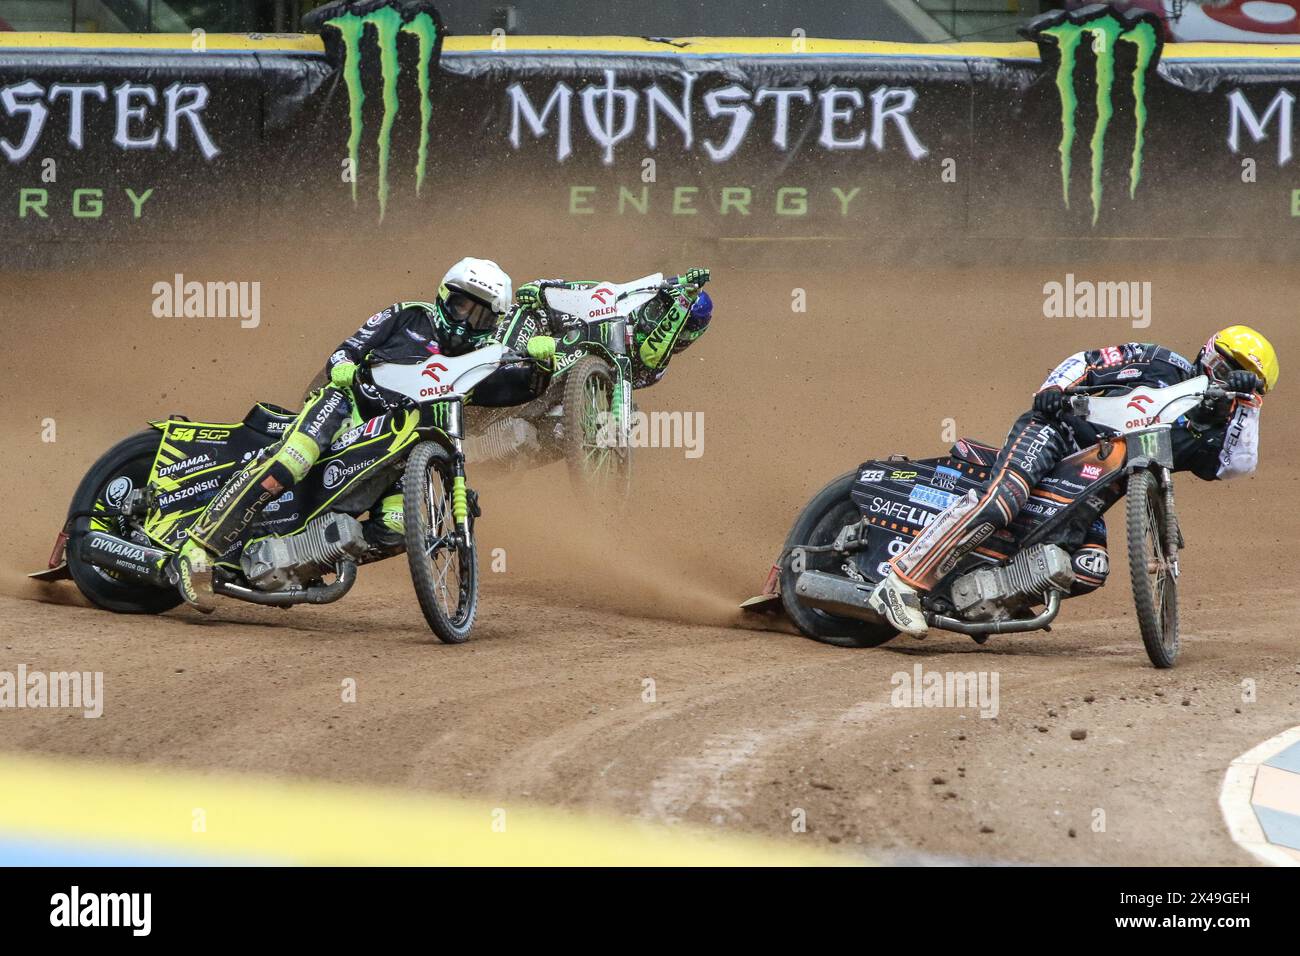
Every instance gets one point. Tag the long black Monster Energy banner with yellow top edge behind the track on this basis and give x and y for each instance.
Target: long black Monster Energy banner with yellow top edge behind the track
(384, 127)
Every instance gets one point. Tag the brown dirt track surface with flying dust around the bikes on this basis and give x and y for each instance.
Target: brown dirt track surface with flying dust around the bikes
(547, 703)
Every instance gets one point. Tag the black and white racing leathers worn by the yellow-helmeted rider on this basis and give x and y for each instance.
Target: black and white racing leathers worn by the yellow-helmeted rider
(1214, 448)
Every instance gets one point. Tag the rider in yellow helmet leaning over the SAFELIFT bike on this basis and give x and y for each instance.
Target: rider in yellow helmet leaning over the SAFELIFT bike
(1217, 440)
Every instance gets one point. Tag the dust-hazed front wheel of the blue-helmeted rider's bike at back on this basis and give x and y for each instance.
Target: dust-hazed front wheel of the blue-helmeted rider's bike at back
(597, 466)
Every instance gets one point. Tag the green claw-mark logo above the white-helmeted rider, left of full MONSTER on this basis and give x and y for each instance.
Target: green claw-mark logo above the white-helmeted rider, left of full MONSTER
(388, 24)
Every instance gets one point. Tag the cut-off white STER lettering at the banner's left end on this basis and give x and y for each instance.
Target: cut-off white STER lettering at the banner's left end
(135, 106)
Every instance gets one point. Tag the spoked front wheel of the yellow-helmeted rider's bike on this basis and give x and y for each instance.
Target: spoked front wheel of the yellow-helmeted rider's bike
(1154, 566)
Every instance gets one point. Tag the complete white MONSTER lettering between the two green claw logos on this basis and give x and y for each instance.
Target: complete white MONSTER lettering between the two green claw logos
(610, 114)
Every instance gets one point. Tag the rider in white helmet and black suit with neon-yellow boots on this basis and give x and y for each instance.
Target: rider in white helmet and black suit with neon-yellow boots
(471, 300)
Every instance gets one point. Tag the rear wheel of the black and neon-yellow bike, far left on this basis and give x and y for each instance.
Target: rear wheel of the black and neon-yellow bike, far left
(123, 469)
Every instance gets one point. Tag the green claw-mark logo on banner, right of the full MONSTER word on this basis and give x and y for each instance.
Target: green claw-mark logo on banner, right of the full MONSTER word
(1107, 31)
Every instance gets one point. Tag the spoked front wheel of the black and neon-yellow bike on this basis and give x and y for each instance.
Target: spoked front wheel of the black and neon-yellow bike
(445, 569)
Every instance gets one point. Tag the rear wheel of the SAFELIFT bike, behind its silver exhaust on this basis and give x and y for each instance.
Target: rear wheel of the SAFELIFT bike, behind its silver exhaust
(818, 525)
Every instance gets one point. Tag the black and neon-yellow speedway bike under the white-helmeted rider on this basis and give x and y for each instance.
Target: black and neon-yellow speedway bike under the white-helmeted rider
(133, 509)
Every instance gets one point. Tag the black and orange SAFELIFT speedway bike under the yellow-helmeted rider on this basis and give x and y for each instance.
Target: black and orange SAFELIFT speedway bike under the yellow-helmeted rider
(1017, 578)
